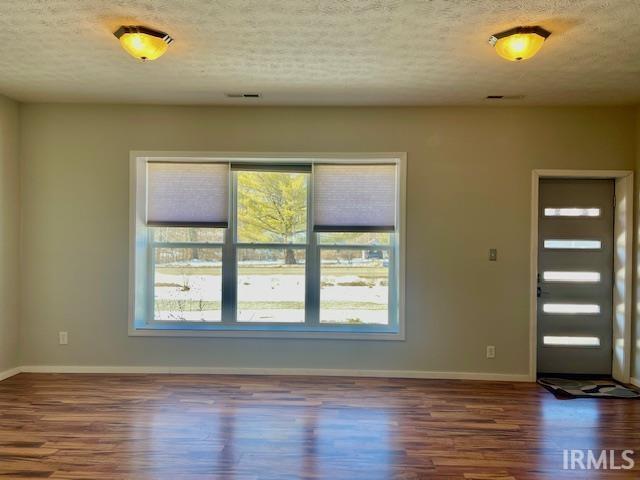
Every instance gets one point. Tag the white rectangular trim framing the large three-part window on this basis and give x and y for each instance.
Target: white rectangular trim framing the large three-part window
(137, 208)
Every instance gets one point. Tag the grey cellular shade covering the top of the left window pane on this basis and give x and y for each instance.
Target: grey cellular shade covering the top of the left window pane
(188, 194)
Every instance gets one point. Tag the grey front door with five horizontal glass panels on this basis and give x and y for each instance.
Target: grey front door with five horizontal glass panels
(575, 276)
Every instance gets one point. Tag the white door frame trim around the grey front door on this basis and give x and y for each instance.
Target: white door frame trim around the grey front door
(622, 266)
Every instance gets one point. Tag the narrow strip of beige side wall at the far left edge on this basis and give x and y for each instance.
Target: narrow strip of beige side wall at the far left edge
(9, 234)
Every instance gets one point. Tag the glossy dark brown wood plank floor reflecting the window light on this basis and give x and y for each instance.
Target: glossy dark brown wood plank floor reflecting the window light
(238, 427)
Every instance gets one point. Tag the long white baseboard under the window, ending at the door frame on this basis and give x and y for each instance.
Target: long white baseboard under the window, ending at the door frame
(504, 377)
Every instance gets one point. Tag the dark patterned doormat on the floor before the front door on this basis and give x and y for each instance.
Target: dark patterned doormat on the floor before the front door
(565, 388)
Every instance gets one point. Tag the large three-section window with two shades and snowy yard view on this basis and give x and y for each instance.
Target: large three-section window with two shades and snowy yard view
(268, 246)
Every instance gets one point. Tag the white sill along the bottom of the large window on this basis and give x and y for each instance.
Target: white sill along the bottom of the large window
(255, 331)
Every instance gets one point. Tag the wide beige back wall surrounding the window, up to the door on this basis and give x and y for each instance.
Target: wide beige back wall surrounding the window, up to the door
(469, 177)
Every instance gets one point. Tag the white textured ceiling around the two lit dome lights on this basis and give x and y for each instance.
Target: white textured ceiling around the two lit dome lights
(321, 52)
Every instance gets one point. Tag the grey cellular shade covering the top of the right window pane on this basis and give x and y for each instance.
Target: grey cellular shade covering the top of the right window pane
(354, 198)
